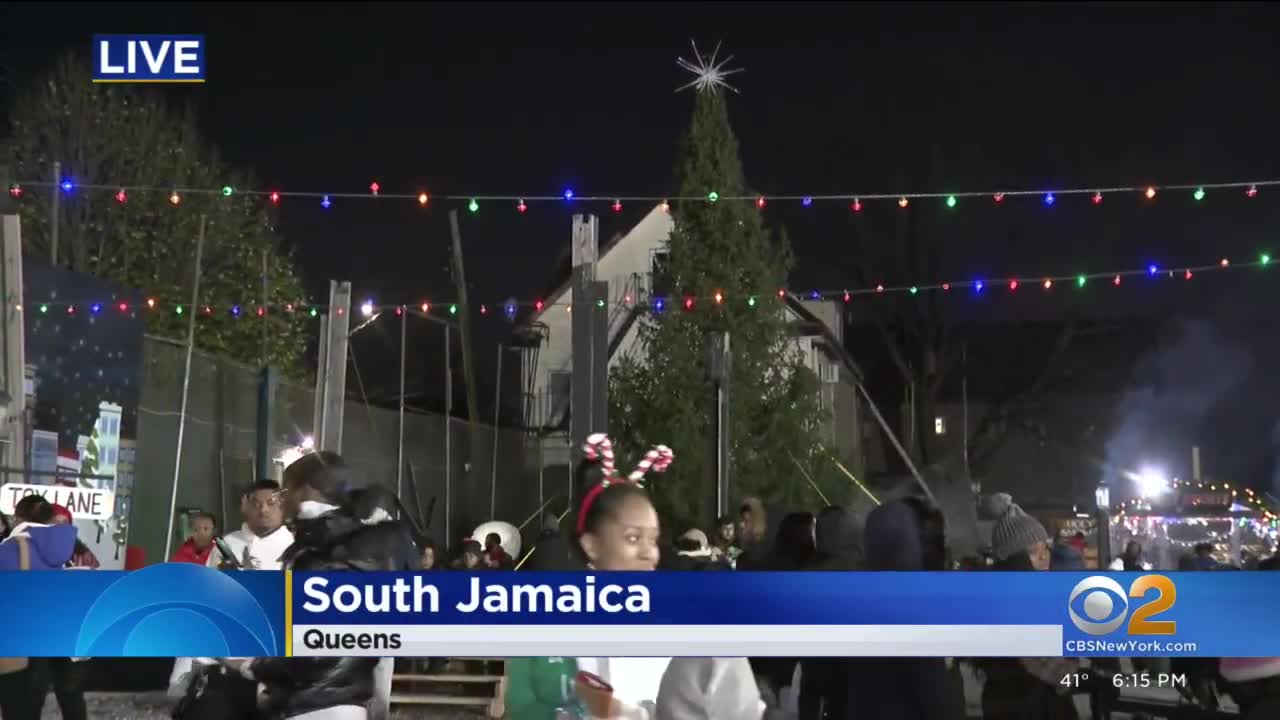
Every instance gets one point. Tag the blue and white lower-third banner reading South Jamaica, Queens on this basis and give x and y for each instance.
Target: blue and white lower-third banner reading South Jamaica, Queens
(188, 610)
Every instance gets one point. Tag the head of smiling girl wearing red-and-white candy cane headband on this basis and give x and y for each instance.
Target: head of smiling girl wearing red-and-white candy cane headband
(618, 526)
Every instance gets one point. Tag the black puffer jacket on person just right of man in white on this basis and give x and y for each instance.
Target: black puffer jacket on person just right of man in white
(336, 541)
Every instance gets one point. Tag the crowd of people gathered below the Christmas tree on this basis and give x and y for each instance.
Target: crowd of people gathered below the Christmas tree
(322, 518)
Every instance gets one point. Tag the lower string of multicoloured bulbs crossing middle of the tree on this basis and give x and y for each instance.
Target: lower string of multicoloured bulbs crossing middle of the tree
(661, 303)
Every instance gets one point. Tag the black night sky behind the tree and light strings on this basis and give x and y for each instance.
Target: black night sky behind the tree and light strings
(505, 101)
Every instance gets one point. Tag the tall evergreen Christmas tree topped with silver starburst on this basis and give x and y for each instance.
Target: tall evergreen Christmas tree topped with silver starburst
(723, 270)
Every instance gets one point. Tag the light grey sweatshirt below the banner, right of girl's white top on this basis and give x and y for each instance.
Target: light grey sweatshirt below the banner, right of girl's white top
(710, 689)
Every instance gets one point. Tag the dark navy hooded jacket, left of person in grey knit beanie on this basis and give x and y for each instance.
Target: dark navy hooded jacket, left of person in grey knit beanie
(902, 689)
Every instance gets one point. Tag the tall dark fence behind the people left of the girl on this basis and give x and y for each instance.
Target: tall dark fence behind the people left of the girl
(488, 480)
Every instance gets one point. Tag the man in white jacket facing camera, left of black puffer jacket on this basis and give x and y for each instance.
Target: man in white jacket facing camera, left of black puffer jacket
(259, 545)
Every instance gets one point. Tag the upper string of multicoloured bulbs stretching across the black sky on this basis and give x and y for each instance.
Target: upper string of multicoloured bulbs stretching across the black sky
(856, 200)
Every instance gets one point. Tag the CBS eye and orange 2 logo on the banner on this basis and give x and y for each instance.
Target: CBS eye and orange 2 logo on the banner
(1099, 607)
